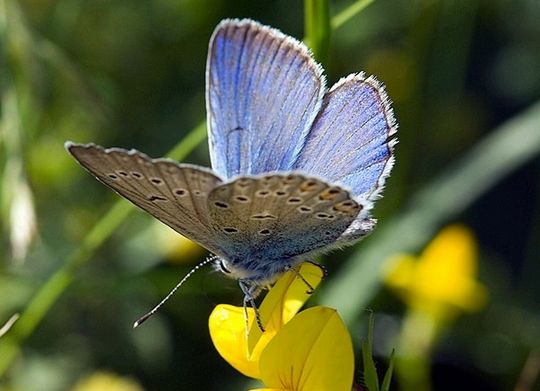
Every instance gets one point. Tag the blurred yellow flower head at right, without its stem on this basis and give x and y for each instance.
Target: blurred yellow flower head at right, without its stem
(441, 280)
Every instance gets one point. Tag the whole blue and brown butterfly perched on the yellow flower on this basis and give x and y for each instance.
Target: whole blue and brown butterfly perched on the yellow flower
(295, 167)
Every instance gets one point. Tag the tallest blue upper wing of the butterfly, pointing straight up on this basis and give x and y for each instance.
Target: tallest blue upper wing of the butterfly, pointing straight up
(263, 93)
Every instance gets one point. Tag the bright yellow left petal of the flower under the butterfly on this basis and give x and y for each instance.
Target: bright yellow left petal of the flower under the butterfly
(227, 330)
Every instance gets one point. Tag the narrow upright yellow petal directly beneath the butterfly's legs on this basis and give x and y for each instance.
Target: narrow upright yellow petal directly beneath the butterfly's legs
(282, 302)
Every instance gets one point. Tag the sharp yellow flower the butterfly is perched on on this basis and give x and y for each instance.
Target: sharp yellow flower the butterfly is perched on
(309, 351)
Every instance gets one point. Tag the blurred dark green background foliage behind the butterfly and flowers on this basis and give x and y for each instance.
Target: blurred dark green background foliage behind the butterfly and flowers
(464, 76)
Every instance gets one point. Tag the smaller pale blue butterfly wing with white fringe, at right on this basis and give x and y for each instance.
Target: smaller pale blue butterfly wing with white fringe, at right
(351, 139)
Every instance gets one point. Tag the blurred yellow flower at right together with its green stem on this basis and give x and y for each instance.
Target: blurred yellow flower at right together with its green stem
(436, 286)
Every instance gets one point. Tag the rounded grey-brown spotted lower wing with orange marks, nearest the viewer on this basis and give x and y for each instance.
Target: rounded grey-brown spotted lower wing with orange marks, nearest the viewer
(274, 218)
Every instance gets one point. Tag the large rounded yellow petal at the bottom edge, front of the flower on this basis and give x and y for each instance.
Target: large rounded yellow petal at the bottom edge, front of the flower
(313, 352)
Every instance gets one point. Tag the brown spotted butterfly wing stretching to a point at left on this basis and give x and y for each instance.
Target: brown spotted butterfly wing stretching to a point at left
(176, 194)
